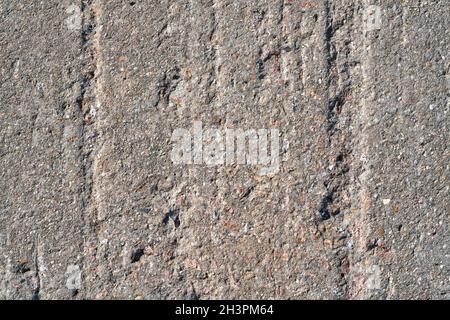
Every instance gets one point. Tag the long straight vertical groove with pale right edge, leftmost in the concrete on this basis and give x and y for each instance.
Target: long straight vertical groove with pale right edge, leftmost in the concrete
(90, 103)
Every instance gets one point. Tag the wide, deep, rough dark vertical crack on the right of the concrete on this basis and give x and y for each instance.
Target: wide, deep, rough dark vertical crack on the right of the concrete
(338, 135)
